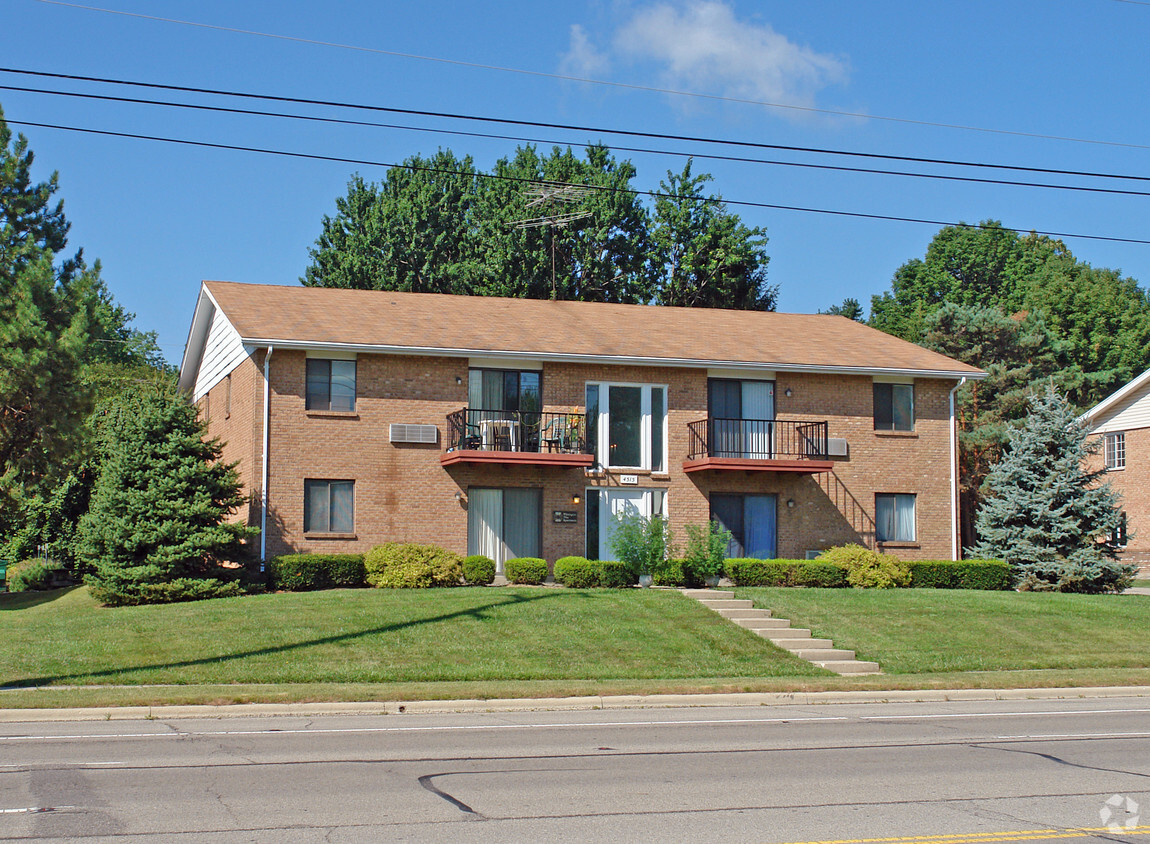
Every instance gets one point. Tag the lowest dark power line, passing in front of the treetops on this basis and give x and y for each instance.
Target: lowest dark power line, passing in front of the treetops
(518, 180)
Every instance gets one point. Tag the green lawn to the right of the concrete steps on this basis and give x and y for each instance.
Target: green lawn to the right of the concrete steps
(934, 631)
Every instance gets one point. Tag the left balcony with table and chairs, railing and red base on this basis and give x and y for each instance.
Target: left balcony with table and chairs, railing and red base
(527, 438)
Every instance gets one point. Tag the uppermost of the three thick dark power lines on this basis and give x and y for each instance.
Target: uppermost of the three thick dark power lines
(568, 127)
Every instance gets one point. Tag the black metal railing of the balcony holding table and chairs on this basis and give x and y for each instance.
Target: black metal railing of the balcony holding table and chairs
(472, 429)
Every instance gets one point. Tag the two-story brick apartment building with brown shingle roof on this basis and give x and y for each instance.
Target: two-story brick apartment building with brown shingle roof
(513, 427)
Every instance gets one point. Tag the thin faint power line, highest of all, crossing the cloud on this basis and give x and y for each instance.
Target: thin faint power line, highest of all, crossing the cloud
(564, 78)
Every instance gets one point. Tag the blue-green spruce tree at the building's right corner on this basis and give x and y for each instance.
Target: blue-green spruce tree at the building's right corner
(1045, 513)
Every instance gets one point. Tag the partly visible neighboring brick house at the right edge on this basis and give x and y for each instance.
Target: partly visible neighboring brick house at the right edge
(1122, 421)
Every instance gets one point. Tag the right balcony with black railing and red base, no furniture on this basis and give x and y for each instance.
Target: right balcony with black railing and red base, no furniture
(757, 446)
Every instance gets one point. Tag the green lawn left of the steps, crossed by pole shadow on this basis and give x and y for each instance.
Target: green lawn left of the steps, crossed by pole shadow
(380, 636)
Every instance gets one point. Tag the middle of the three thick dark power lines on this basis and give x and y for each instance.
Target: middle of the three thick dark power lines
(677, 154)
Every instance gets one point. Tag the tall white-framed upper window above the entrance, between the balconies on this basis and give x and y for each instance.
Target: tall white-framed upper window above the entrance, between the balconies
(630, 424)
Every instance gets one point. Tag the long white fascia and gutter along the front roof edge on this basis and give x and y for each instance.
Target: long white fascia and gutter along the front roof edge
(622, 360)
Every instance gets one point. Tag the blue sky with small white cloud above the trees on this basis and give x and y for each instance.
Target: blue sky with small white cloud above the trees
(162, 217)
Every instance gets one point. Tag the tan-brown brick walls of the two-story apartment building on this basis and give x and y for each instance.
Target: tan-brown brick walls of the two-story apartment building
(404, 494)
